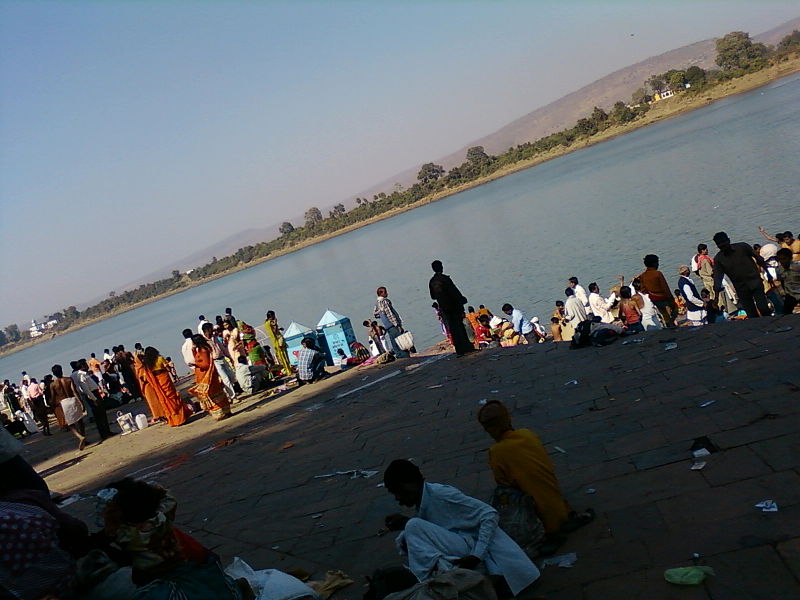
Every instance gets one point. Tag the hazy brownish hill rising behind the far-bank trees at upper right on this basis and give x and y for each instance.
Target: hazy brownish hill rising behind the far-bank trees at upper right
(565, 111)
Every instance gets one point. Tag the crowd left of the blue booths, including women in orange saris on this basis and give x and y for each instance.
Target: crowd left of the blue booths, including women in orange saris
(225, 359)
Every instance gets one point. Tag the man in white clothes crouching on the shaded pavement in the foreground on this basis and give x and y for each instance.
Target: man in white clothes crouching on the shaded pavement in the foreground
(452, 530)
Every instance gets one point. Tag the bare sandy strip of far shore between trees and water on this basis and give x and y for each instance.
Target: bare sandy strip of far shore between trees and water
(663, 110)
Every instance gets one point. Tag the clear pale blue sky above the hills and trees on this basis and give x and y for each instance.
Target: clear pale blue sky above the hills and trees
(133, 134)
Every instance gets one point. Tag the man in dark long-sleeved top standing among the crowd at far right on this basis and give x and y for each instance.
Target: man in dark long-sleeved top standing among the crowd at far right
(737, 262)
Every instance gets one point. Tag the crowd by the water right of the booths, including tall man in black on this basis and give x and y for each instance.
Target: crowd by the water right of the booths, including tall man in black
(740, 281)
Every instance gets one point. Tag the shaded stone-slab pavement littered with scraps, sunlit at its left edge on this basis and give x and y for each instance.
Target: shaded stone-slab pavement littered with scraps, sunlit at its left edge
(259, 485)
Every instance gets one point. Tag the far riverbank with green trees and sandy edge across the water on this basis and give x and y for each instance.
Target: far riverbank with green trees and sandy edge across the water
(743, 66)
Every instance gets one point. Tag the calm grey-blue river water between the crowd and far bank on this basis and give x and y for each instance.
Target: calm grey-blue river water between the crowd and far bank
(593, 214)
